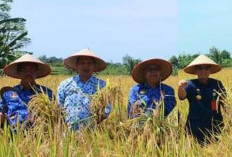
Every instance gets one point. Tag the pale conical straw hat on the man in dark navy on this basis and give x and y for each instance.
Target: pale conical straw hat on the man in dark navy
(202, 60)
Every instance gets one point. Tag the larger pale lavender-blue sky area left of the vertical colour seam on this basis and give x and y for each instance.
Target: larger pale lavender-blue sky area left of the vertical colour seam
(112, 29)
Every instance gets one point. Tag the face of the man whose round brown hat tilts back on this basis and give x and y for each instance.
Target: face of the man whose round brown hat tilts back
(152, 73)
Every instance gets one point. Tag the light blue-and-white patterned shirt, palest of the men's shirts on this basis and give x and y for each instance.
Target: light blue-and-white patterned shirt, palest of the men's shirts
(73, 96)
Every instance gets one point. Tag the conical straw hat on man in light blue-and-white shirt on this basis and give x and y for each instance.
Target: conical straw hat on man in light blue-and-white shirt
(70, 62)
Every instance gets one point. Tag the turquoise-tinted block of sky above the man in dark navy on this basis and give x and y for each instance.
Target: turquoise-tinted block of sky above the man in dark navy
(203, 24)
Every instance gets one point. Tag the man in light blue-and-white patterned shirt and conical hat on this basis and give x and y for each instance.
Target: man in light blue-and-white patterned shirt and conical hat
(73, 93)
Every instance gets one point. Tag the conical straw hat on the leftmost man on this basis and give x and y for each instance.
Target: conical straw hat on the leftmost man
(42, 71)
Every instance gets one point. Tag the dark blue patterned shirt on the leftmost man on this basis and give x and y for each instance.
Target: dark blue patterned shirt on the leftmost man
(15, 104)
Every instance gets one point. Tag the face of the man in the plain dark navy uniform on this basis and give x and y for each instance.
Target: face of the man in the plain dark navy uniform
(203, 72)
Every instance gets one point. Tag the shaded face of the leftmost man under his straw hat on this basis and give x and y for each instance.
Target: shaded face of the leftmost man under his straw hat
(28, 72)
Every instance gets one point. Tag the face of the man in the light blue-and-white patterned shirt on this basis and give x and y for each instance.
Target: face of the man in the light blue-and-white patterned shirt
(85, 66)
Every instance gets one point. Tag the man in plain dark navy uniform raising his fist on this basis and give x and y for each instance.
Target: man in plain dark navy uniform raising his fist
(205, 96)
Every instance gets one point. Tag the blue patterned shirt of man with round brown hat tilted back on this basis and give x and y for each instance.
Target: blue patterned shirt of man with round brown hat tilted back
(147, 97)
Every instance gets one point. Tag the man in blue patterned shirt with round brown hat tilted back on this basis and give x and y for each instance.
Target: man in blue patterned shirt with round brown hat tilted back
(150, 92)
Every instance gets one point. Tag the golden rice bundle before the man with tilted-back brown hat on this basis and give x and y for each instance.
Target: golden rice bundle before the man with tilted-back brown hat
(153, 125)
